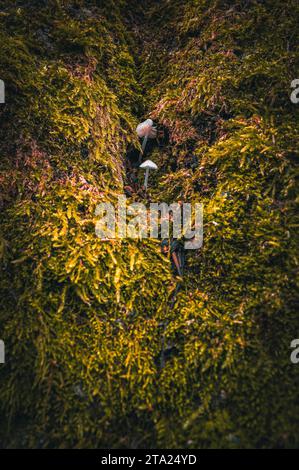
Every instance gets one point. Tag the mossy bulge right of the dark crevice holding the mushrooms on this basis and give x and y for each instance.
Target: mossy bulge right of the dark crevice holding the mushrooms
(225, 99)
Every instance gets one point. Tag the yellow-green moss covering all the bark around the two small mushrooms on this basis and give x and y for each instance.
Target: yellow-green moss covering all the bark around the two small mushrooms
(84, 321)
